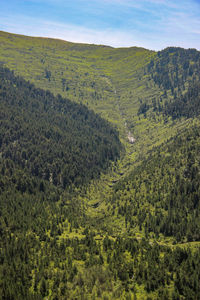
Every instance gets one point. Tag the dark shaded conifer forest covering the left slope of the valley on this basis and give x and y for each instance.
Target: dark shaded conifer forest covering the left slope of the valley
(51, 137)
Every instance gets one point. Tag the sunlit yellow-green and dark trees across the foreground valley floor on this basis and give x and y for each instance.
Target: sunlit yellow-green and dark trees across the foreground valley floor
(49, 250)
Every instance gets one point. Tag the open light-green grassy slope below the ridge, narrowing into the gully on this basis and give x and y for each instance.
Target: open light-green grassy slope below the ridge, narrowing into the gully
(113, 82)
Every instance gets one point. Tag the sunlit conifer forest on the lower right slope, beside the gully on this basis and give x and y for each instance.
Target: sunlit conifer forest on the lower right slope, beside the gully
(162, 195)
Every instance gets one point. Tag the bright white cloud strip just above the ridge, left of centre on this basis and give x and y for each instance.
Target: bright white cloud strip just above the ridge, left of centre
(79, 34)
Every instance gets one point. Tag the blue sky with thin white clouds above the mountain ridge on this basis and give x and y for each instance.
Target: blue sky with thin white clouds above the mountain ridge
(152, 24)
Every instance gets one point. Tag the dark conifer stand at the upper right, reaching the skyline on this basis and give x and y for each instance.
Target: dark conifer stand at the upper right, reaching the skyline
(176, 72)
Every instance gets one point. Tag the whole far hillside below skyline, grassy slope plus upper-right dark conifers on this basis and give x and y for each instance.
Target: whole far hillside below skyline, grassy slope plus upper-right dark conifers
(127, 86)
